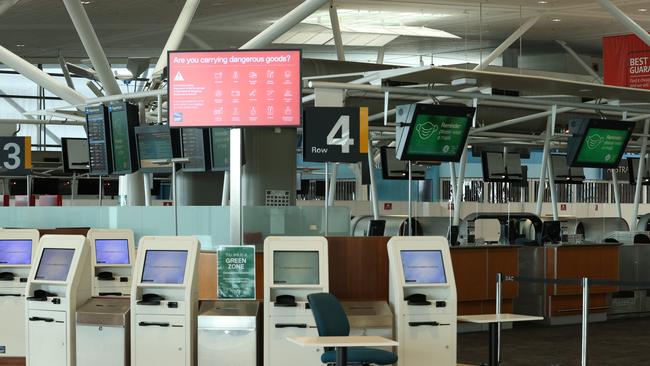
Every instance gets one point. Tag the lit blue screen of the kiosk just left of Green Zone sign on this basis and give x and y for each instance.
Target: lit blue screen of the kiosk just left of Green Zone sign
(164, 266)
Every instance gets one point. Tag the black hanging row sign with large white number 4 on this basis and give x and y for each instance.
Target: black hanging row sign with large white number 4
(337, 135)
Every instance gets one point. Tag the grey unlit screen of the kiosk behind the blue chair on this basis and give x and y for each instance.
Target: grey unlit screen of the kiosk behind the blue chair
(296, 268)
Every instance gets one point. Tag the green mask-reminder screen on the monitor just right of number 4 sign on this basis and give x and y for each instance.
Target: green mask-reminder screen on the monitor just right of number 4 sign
(437, 135)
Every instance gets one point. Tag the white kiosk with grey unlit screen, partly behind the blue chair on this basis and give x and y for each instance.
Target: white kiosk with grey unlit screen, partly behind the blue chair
(294, 267)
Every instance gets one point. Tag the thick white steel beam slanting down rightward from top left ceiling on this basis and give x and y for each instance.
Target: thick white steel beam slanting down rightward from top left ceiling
(92, 46)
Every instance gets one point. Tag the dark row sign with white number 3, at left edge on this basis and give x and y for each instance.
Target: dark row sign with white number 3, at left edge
(15, 156)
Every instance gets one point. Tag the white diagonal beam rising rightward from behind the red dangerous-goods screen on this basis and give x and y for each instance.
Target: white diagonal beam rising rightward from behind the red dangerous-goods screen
(287, 22)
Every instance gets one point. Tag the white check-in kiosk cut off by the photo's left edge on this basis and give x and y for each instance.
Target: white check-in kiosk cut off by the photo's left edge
(17, 248)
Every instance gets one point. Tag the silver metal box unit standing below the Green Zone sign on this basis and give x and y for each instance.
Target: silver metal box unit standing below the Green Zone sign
(228, 333)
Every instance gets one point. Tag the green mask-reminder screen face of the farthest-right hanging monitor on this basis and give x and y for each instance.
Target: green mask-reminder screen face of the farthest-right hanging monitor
(602, 146)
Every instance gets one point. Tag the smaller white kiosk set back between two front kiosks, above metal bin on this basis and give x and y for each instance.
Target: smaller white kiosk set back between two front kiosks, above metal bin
(112, 257)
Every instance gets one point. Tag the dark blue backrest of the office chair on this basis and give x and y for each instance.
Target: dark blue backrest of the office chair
(329, 315)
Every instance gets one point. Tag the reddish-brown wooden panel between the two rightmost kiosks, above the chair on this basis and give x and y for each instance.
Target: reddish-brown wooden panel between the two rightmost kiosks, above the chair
(358, 268)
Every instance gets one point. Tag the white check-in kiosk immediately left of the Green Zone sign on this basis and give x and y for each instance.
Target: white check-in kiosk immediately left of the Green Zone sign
(164, 302)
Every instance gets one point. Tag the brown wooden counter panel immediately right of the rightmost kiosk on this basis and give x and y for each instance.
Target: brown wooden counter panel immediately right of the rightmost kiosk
(470, 270)
